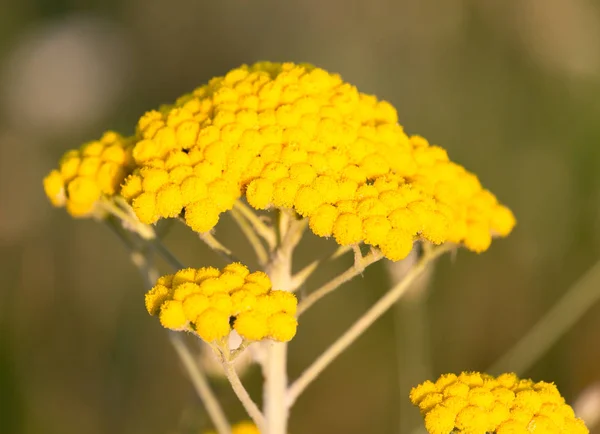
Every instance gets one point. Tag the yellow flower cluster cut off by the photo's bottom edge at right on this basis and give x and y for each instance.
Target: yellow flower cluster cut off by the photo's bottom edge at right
(474, 403)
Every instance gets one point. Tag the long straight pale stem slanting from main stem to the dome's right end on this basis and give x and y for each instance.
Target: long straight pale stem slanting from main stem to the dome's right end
(359, 327)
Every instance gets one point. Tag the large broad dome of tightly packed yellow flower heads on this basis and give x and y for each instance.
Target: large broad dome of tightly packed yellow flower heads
(297, 137)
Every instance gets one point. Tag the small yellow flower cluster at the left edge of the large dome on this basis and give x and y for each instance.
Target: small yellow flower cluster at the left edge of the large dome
(88, 173)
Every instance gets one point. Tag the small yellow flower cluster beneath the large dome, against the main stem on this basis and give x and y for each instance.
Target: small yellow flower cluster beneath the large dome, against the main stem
(208, 301)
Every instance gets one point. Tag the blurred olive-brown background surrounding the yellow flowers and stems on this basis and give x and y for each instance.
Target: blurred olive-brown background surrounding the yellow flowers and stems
(510, 87)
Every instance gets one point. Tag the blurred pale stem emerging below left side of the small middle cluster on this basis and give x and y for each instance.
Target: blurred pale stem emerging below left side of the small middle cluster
(200, 383)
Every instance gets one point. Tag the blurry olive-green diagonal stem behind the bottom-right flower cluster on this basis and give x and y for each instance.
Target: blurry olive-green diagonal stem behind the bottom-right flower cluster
(584, 293)
